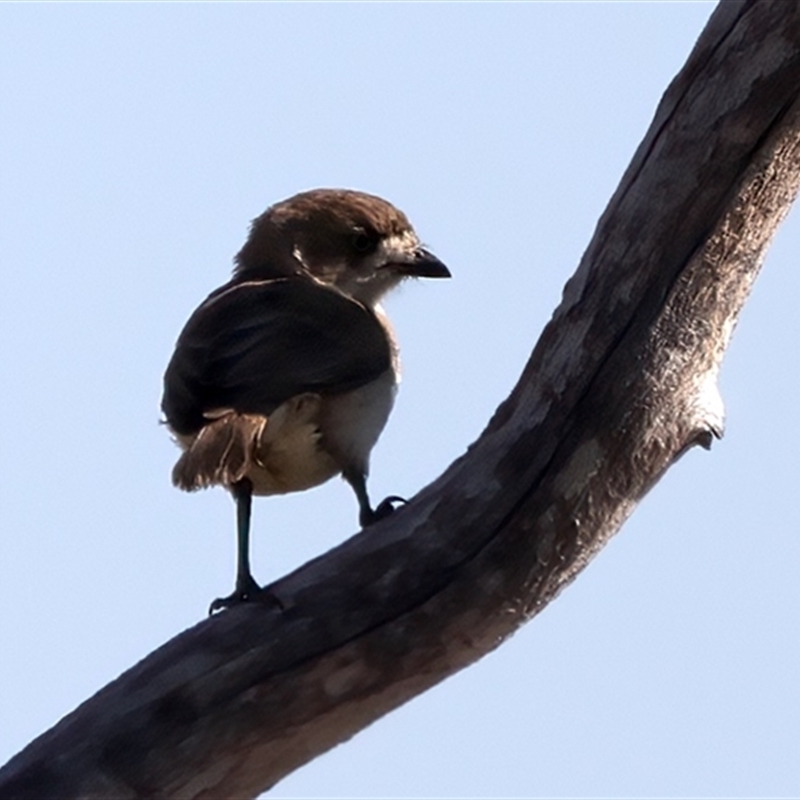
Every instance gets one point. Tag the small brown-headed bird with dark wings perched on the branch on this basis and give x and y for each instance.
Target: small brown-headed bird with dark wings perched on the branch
(285, 376)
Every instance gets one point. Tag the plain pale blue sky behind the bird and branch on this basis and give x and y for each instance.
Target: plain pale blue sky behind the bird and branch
(136, 143)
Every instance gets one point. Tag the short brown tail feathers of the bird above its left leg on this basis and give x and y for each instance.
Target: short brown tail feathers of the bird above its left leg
(222, 452)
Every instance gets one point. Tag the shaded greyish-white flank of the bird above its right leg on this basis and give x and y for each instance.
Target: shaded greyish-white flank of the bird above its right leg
(352, 422)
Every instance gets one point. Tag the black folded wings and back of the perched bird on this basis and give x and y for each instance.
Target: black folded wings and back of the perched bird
(254, 345)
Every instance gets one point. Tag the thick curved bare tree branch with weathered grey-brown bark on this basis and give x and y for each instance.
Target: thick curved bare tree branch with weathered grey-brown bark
(622, 381)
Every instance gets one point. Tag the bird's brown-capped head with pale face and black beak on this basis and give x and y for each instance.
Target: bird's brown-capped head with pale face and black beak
(356, 242)
